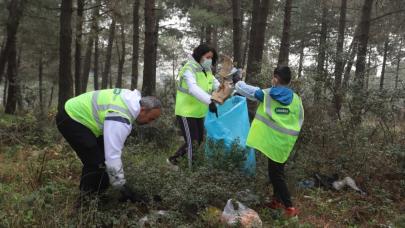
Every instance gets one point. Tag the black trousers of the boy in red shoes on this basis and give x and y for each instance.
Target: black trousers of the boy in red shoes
(277, 179)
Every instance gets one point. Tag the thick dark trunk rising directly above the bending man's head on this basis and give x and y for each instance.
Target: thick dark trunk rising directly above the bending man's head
(150, 48)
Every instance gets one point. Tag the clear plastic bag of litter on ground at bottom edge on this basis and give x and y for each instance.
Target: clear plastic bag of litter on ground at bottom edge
(237, 214)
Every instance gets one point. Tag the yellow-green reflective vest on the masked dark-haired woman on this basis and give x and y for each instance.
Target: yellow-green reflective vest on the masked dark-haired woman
(186, 104)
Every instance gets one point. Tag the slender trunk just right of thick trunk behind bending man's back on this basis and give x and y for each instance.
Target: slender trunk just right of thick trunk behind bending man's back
(78, 47)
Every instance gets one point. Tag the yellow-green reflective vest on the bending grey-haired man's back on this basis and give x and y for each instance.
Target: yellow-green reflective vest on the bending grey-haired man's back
(91, 108)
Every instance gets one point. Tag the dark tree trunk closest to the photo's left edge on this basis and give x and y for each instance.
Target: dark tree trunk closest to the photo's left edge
(15, 8)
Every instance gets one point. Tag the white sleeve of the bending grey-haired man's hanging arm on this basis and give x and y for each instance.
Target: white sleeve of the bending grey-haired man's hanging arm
(115, 133)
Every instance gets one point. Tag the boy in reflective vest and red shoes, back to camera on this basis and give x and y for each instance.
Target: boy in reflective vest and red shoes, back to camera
(275, 129)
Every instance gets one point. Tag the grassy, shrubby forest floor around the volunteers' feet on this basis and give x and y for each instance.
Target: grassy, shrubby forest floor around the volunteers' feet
(39, 176)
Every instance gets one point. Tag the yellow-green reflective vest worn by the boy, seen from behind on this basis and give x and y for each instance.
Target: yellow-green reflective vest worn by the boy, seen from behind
(276, 127)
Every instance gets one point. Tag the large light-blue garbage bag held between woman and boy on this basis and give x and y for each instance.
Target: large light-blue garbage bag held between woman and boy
(231, 125)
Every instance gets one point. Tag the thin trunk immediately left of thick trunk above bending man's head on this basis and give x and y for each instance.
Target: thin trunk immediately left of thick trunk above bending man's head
(135, 45)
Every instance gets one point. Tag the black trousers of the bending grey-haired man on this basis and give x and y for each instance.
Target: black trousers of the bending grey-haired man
(89, 149)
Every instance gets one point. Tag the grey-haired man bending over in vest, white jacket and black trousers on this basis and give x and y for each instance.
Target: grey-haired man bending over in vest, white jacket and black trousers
(96, 125)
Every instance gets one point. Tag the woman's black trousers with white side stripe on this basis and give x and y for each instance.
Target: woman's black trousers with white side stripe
(193, 131)
